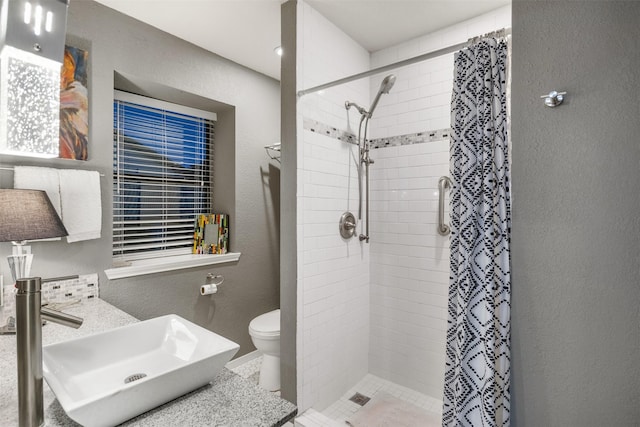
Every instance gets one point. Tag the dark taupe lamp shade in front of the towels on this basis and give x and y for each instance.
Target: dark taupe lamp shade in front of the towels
(28, 215)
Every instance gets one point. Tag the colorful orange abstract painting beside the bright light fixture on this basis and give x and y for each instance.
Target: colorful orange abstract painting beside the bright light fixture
(74, 105)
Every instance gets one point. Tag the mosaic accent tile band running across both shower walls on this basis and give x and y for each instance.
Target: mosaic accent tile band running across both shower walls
(393, 141)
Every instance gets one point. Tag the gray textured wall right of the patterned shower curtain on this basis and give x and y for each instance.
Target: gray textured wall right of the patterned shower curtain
(576, 205)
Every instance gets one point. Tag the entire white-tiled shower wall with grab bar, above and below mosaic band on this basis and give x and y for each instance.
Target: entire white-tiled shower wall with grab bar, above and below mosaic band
(409, 260)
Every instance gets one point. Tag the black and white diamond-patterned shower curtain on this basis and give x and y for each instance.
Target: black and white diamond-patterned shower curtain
(476, 389)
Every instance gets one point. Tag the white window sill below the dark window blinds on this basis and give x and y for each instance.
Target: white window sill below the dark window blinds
(158, 265)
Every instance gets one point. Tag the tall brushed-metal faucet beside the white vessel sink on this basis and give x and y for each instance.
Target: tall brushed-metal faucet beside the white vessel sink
(29, 315)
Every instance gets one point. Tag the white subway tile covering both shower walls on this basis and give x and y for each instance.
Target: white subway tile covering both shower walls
(387, 316)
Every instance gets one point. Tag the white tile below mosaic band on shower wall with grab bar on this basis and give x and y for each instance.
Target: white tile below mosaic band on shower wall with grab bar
(409, 267)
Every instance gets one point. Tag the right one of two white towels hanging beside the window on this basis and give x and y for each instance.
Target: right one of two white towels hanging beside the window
(81, 204)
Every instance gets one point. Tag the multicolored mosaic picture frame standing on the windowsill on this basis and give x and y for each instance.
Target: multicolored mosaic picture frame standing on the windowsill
(211, 234)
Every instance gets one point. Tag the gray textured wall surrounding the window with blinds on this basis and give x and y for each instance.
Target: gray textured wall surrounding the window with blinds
(120, 44)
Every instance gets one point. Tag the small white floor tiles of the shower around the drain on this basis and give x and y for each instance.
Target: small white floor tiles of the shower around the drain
(344, 408)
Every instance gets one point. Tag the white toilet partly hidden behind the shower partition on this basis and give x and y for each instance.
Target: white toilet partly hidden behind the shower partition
(265, 334)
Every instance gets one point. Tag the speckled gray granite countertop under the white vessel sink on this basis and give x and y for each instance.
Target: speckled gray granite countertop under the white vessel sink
(229, 400)
